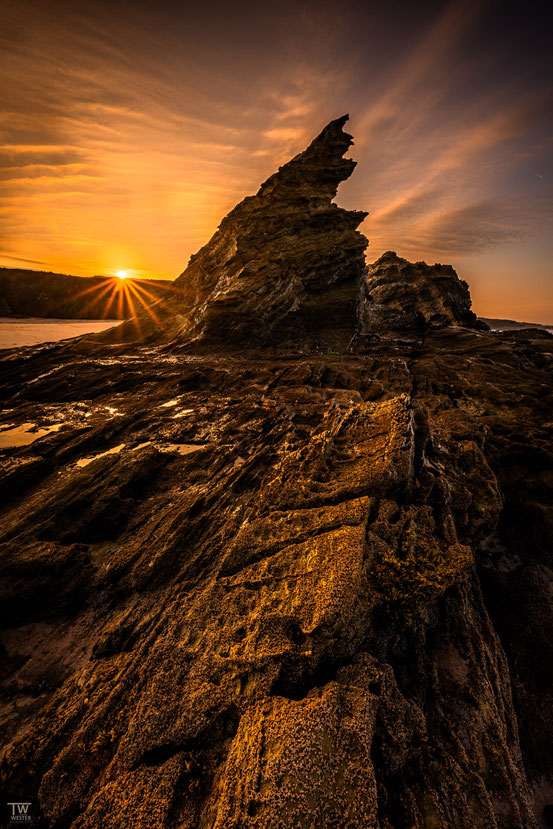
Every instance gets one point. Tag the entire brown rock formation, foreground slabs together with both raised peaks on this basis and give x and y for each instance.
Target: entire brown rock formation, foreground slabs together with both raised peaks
(271, 586)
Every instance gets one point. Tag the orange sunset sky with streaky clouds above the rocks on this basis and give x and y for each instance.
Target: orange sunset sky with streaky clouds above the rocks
(129, 129)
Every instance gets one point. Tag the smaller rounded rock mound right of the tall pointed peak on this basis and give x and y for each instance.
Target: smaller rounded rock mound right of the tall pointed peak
(403, 297)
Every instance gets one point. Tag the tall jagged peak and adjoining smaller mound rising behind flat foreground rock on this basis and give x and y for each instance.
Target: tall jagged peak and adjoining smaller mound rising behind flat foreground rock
(287, 266)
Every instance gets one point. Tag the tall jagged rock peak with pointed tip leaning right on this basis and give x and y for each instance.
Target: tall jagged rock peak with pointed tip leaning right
(285, 263)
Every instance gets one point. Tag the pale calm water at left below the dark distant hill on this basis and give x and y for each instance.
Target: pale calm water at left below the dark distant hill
(33, 330)
